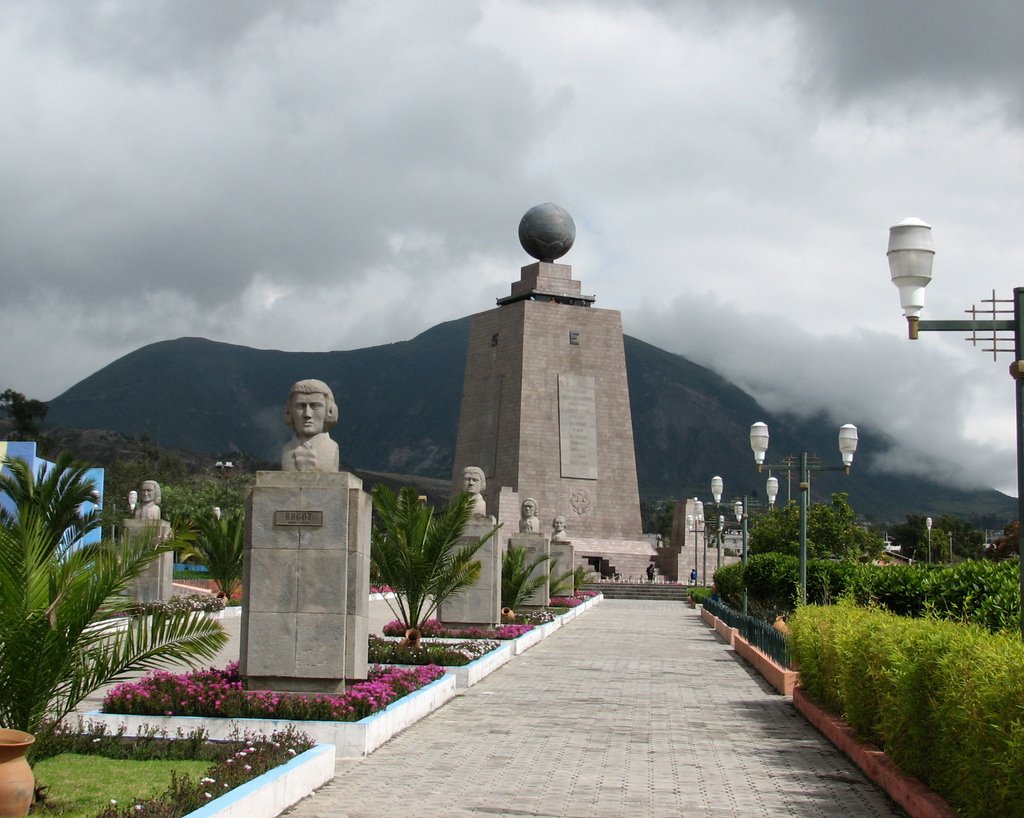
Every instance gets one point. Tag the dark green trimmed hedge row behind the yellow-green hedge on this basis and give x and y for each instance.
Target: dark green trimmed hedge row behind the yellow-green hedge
(982, 592)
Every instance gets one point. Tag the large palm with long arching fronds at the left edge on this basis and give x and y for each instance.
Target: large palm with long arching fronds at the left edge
(53, 597)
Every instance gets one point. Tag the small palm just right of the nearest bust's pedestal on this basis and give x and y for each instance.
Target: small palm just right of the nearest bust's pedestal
(419, 554)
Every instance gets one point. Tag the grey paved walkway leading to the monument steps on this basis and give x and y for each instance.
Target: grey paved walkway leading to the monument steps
(635, 709)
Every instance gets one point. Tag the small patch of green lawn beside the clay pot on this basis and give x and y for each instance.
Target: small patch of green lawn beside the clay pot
(79, 787)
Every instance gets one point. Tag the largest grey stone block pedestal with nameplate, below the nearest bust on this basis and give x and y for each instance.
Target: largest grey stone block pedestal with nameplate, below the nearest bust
(307, 598)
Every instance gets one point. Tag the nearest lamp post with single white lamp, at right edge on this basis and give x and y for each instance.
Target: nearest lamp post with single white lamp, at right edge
(911, 254)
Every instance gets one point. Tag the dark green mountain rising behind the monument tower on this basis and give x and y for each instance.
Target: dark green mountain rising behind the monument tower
(399, 409)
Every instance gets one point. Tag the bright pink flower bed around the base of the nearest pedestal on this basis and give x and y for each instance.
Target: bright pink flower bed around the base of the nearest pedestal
(221, 695)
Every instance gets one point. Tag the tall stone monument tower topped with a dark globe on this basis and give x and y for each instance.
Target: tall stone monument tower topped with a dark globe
(546, 405)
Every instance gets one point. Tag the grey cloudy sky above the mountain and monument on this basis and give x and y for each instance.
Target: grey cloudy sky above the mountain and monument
(319, 176)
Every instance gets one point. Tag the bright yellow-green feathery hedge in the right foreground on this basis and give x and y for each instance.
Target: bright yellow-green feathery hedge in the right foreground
(946, 702)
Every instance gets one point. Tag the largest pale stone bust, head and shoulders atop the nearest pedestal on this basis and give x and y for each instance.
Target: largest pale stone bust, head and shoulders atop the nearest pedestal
(311, 413)
